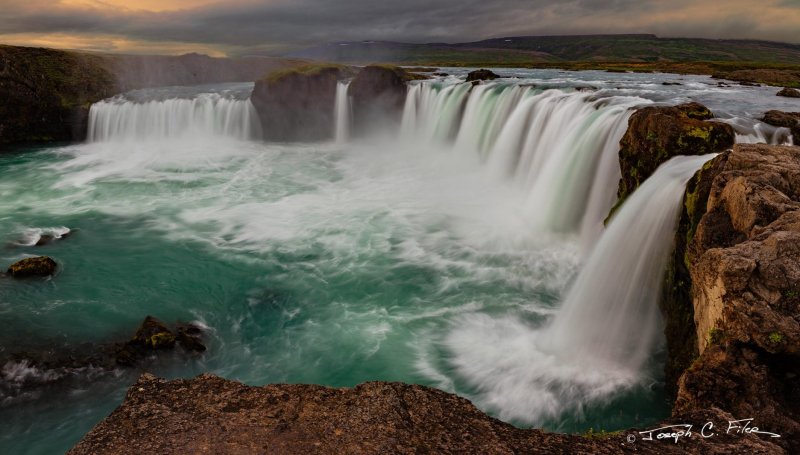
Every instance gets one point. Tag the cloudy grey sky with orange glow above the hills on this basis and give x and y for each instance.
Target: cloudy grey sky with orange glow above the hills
(240, 27)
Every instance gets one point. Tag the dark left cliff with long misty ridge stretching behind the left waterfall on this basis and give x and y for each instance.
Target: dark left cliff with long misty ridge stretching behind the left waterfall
(46, 94)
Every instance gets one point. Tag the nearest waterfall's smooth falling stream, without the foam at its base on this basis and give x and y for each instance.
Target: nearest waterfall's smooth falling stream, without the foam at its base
(610, 315)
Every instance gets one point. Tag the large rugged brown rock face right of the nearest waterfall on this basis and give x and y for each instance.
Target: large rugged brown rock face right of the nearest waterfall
(743, 255)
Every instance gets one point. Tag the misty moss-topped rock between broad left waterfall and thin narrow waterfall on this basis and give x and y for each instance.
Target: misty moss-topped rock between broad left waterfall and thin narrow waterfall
(298, 103)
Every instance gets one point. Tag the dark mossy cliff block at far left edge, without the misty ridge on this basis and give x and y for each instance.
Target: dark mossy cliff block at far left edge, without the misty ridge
(46, 93)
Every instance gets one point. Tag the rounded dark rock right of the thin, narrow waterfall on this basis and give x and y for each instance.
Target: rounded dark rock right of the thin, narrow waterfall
(378, 93)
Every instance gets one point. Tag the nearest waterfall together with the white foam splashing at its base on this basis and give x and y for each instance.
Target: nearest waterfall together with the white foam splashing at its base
(607, 328)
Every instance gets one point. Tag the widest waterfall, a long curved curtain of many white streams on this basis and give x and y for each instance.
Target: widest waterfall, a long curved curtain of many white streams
(562, 146)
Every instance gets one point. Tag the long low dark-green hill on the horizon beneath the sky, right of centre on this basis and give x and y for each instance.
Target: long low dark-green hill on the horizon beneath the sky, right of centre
(525, 50)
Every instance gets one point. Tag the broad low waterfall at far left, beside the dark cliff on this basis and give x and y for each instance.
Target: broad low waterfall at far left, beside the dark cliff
(205, 114)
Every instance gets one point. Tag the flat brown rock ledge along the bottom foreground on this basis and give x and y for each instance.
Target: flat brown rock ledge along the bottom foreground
(211, 415)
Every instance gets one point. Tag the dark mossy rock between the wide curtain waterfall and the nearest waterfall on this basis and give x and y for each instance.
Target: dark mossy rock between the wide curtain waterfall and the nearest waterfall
(656, 134)
